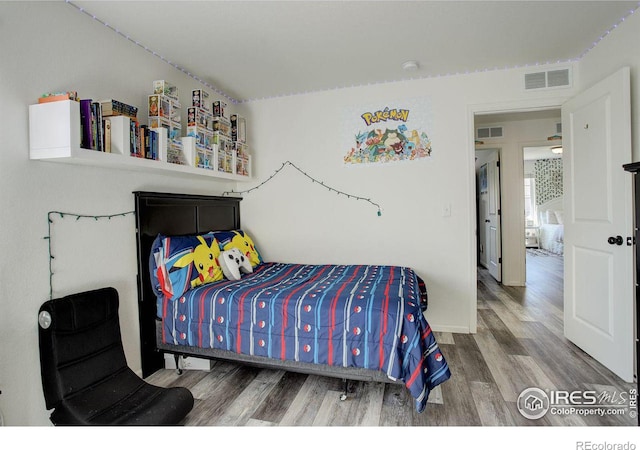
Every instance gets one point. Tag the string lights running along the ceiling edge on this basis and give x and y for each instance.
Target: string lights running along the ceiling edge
(292, 94)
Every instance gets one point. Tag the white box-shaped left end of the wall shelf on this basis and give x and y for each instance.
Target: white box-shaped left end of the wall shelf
(54, 129)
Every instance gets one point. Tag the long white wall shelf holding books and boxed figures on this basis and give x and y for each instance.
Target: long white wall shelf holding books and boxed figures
(55, 135)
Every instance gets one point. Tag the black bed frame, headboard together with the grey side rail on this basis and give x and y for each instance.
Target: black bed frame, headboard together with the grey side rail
(184, 214)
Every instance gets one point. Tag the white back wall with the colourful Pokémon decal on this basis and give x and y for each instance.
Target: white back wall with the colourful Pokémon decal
(296, 220)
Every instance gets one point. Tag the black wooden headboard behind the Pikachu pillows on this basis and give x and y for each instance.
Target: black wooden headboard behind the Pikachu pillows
(171, 214)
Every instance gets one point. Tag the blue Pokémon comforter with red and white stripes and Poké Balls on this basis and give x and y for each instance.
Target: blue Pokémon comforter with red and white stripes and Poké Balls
(339, 315)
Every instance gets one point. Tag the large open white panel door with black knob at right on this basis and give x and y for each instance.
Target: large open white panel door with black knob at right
(599, 284)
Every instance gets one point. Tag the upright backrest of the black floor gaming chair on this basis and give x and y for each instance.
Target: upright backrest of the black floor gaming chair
(80, 343)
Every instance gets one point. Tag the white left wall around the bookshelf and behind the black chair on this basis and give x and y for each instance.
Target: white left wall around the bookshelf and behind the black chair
(41, 52)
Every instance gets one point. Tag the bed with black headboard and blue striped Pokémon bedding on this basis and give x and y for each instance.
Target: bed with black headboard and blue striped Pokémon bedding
(355, 322)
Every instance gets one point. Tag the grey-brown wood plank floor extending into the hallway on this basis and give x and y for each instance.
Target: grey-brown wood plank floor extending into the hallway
(519, 344)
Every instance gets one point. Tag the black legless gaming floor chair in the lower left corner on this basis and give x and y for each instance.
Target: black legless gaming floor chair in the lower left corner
(85, 376)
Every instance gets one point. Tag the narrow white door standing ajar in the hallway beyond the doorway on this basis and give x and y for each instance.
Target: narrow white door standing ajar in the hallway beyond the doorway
(493, 229)
